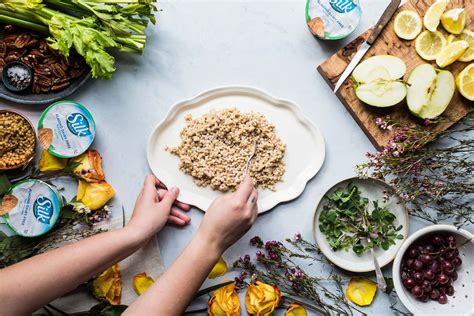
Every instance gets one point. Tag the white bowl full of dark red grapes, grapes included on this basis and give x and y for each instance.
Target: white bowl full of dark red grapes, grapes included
(433, 271)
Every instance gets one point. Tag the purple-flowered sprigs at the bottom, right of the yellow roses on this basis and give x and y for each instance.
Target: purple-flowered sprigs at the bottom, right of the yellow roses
(323, 294)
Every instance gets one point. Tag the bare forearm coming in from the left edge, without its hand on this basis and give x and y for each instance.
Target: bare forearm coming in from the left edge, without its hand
(39, 280)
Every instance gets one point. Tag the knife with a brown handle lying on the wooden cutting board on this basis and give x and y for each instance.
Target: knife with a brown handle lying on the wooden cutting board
(383, 21)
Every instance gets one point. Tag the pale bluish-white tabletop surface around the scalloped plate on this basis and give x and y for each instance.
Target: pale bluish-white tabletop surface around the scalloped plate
(199, 45)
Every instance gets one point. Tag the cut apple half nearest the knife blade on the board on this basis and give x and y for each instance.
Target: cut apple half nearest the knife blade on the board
(377, 81)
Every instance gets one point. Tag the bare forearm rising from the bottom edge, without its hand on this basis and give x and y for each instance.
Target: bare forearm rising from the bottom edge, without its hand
(175, 289)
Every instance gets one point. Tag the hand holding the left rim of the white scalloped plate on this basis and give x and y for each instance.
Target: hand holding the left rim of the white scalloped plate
(156, 206)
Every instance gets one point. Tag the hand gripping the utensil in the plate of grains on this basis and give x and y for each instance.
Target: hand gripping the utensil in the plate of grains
(230, 216)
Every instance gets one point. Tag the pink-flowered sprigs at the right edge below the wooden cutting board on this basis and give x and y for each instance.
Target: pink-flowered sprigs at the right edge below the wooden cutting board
(435, 180)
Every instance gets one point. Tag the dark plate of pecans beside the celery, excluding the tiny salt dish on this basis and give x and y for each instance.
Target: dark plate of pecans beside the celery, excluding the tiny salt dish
(54, 76)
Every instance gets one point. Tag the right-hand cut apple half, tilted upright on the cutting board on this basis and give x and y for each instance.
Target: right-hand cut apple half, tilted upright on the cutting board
(429, 91)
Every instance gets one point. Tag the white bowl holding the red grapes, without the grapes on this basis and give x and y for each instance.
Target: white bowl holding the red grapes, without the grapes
(462, 302)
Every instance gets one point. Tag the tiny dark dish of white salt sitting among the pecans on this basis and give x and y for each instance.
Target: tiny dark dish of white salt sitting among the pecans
(17, 76)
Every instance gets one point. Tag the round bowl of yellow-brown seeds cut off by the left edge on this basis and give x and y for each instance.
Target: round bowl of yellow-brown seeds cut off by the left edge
(17, 140)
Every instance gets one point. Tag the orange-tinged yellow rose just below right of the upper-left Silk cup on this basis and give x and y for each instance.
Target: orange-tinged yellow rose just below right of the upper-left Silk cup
(89, 166)
